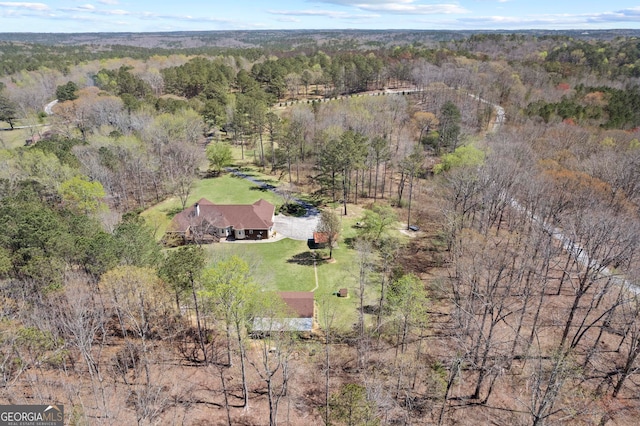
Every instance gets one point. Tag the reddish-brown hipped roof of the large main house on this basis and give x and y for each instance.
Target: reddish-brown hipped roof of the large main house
(258, 215)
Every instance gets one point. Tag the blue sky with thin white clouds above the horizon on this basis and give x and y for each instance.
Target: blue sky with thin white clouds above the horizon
(177, 15)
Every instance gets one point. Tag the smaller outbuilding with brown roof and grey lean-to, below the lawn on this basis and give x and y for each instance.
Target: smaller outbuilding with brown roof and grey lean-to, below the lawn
(302, 311)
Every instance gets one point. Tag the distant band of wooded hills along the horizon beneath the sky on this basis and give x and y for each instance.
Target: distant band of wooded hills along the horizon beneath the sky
(607, 53)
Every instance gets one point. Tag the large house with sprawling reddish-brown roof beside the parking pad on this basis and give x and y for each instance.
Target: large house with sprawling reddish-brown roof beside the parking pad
(207, 222)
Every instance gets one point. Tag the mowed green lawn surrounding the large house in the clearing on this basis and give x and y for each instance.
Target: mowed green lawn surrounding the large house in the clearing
(284, 265)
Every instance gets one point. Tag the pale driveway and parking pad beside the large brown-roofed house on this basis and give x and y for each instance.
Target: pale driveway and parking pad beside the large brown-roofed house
(296, 228)
